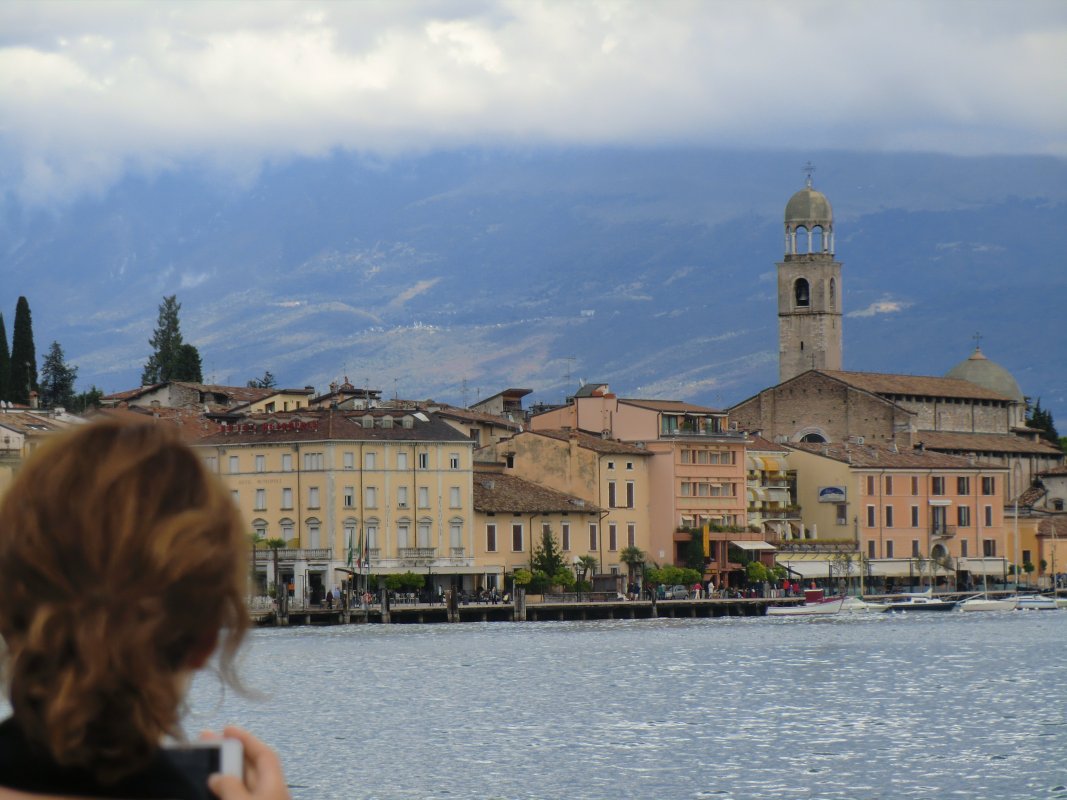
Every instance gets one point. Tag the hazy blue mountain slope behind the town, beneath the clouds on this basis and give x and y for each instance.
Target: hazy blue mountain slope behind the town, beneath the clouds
(456, 275)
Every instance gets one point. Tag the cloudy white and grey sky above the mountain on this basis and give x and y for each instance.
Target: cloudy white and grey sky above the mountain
(91, 92)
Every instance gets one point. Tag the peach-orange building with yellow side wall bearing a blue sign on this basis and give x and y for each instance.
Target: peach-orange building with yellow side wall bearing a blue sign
(899, 513)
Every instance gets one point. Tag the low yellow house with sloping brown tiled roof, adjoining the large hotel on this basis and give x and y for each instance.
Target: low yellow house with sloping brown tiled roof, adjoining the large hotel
(512, 517)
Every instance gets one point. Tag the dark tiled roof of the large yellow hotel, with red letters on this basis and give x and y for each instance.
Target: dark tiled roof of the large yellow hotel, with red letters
(315, 425)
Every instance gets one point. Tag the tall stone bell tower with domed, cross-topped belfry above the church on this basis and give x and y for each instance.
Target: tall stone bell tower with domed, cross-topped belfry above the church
(809, 287)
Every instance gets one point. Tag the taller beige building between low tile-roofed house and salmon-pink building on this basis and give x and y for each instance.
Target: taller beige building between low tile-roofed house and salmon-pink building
(607, 474)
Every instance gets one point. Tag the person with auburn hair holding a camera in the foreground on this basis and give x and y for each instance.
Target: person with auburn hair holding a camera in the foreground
(123, 568)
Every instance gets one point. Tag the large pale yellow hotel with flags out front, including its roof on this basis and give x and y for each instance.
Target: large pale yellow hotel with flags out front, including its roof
(376, 491)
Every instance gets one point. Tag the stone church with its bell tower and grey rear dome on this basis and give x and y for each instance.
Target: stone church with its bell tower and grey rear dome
(977, 410)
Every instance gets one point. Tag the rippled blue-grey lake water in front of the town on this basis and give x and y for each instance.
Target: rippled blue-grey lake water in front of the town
(873, 707)
